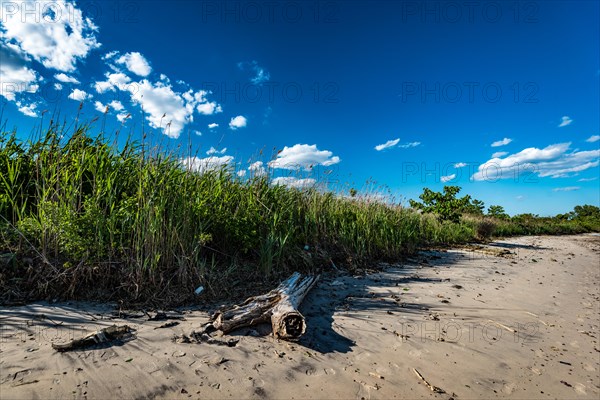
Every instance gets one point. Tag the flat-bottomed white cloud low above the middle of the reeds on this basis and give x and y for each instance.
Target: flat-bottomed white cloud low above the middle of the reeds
(303, 156)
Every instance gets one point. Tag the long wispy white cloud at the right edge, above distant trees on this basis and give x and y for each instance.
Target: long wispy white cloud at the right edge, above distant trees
(552, 161)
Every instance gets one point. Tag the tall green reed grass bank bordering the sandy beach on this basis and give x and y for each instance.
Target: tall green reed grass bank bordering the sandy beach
(85, 219)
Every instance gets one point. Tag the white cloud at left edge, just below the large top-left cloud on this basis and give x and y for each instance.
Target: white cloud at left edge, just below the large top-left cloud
(15, 75)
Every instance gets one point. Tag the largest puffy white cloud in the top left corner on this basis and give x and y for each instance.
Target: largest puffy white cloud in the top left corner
(58, 38)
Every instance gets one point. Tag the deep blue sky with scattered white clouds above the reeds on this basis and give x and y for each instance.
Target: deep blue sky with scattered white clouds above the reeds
(500, 98)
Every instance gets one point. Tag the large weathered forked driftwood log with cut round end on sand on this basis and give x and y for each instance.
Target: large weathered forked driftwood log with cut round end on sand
(280, 306)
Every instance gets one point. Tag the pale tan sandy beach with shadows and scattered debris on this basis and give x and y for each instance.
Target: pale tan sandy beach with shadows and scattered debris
(518, 318)
